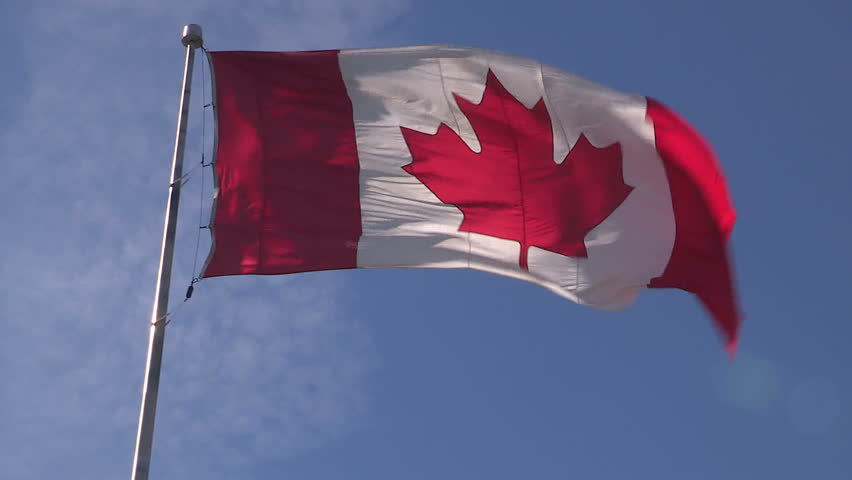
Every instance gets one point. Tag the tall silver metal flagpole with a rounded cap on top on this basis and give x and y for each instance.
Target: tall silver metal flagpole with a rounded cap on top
(191, 39)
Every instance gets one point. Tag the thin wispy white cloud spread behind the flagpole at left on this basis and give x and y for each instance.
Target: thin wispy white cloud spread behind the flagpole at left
(255, 368)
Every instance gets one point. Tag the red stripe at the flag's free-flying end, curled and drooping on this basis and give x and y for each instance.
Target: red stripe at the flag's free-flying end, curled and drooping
(704, 218)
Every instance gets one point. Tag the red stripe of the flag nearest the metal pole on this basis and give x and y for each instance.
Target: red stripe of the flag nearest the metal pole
(287, 165)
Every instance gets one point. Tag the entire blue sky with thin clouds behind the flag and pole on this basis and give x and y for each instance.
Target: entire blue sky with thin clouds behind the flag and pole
(420, 374)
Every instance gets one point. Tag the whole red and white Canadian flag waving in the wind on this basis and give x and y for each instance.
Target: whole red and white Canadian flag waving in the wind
(447, 157)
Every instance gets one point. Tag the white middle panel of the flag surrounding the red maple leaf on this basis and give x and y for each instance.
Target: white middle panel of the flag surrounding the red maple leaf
(405, 225)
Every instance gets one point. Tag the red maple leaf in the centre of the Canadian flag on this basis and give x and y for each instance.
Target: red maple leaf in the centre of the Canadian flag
(513, 189)
